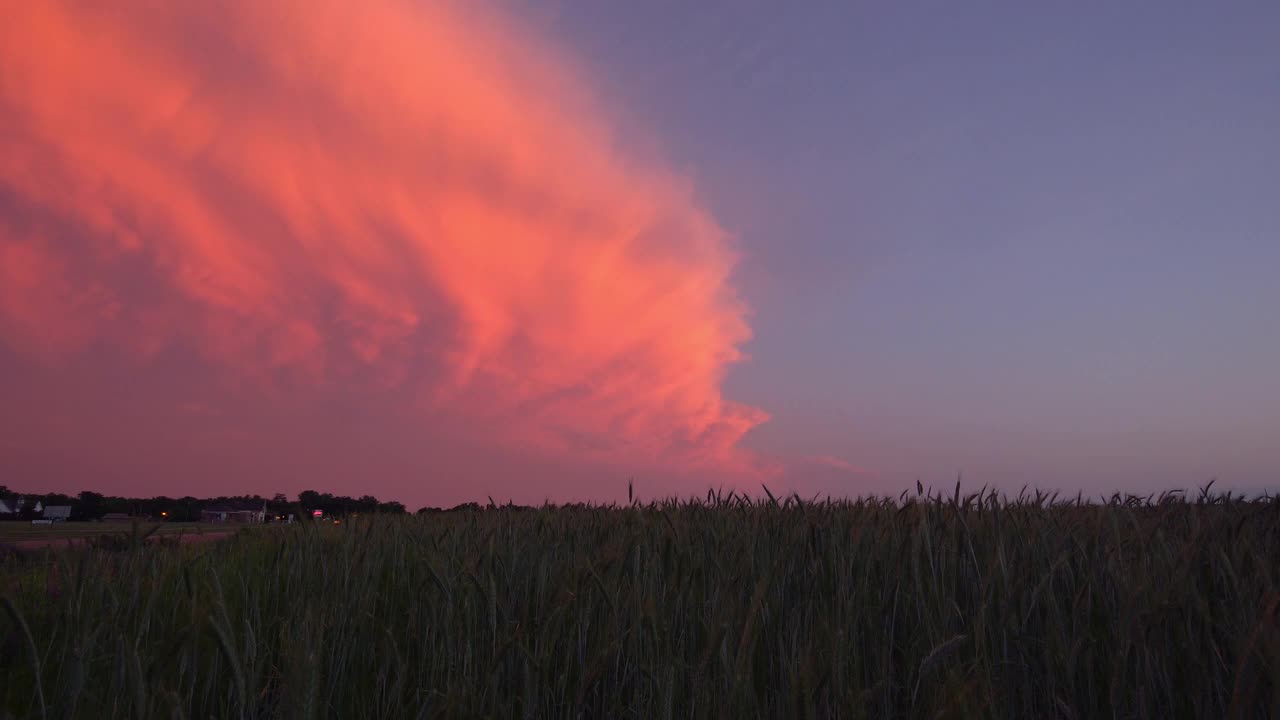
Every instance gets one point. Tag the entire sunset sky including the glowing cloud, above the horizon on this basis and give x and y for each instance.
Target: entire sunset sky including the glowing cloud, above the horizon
(442, 252)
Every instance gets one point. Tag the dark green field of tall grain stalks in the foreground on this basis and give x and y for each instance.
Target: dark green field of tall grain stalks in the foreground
(941, 608)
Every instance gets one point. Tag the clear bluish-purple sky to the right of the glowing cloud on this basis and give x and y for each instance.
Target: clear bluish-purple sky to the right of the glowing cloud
(1028, 244)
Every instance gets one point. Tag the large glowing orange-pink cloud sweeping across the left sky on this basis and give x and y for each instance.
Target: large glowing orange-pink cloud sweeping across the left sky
(413, 193)
